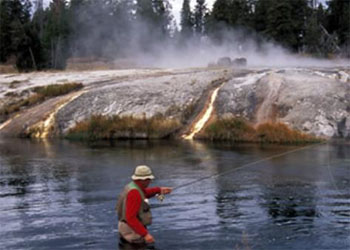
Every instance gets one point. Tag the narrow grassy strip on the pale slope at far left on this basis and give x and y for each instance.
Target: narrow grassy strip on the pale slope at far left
(40, 95)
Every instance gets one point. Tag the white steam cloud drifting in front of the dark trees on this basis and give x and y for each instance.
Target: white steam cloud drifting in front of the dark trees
(142, 43)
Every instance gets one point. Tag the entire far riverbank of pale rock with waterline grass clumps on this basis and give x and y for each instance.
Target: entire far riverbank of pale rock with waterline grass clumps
(315, 102)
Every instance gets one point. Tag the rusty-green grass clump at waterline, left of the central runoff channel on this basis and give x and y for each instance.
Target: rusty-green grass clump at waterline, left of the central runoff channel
(99, 127)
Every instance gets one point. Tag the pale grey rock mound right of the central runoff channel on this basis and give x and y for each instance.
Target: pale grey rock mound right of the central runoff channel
(316, 101)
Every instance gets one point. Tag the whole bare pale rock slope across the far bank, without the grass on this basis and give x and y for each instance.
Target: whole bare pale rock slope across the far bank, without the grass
(313, 100)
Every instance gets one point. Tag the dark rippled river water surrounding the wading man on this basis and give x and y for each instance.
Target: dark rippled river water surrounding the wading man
(61, 195)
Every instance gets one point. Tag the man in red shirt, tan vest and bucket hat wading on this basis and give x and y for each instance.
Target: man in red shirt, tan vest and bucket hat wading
(133, 210)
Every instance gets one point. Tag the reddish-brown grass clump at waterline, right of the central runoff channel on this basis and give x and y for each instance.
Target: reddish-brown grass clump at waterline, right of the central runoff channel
(238, 130)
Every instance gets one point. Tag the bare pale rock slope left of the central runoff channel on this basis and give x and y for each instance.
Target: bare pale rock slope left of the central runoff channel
(142, 93)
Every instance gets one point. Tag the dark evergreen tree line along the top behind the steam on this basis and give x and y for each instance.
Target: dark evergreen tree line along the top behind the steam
(34, 37)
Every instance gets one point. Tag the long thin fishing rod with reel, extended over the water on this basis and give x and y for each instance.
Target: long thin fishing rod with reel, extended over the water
(161, 197)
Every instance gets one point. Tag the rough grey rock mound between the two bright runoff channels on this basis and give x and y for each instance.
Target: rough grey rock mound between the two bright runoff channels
(166, 95)
